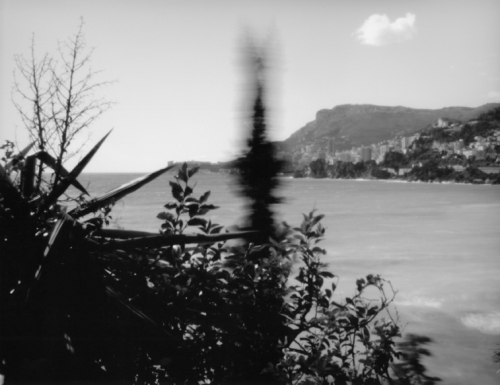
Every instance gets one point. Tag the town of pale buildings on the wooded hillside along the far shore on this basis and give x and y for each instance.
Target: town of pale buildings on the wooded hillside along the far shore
(450, 150)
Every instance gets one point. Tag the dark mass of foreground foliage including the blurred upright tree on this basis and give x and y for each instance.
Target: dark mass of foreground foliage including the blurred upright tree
(88, 304)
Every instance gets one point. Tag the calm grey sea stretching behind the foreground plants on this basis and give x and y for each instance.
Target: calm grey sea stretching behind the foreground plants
(438, 244)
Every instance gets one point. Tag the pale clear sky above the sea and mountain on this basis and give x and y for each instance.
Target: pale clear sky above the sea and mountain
(180, 89)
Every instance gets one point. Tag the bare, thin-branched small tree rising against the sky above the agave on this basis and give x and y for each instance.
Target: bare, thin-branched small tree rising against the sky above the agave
(56, 99)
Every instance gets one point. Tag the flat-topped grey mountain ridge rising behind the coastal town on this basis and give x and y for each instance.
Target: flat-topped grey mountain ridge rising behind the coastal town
(357, 125)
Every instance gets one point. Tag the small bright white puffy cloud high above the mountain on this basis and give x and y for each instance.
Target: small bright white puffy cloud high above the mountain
(378, 30)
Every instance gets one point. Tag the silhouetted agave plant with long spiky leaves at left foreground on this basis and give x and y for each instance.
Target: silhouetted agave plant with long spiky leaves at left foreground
(62, 304)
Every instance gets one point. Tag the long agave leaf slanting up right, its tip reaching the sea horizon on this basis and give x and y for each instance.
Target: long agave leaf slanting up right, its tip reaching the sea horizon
(117, 193)
